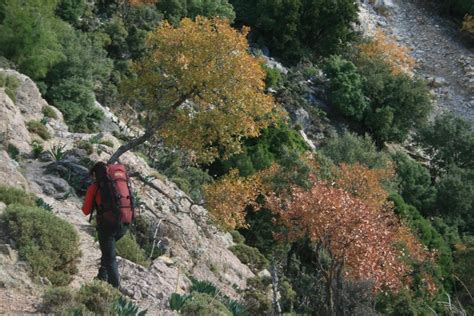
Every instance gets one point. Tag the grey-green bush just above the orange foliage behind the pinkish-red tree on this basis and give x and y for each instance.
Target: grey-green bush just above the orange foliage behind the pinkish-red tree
(351, 148)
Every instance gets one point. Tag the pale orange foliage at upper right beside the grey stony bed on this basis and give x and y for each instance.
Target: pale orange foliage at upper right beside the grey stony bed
(387, 48)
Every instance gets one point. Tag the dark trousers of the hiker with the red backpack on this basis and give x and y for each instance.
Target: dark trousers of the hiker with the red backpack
(108, 236)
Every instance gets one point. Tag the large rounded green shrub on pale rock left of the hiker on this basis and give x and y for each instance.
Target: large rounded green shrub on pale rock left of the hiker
(48, 243)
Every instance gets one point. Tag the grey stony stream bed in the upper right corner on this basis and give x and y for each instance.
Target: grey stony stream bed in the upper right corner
(441, 56)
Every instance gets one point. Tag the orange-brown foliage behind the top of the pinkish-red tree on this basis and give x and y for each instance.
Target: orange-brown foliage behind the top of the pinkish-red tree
(364, 183)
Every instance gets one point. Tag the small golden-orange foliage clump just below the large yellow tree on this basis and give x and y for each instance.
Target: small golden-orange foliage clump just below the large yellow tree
(228, 198)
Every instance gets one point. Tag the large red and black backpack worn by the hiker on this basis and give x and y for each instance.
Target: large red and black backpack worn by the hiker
(116, 197)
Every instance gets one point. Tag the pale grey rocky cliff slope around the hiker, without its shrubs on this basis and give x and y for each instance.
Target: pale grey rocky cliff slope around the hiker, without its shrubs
(193, 246)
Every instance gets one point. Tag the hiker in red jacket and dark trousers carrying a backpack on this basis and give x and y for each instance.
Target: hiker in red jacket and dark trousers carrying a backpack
(110, 195)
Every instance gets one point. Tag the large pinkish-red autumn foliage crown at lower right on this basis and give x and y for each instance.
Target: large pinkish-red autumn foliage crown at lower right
(358, 236)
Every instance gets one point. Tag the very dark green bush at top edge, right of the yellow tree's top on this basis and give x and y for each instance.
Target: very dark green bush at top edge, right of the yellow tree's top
(294, 28)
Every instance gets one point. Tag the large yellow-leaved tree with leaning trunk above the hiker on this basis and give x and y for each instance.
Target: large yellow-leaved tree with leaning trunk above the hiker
(200, 89)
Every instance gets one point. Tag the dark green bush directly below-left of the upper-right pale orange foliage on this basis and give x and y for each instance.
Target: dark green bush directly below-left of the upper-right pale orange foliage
(345, 87)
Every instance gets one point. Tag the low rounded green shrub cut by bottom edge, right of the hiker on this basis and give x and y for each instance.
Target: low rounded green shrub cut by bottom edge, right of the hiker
(202, 304)
